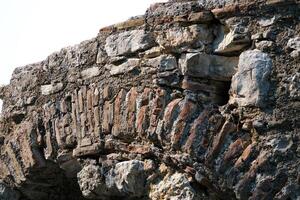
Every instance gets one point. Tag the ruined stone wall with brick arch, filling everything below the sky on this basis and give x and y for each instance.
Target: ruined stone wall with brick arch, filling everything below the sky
(193, 100)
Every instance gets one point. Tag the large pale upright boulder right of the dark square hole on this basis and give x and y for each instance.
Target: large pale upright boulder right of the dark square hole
(250, 85)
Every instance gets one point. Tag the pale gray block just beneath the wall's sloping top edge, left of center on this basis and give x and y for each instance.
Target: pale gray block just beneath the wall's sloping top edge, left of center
(128, 42)
